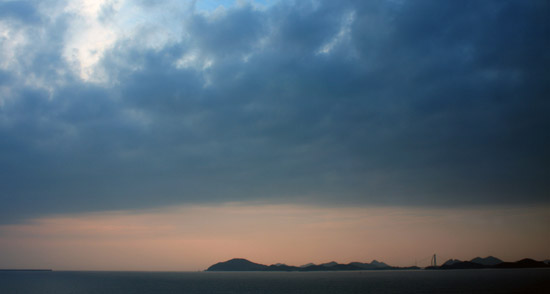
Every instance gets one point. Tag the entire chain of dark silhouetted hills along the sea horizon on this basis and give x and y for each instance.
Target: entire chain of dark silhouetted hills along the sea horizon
(241, 264)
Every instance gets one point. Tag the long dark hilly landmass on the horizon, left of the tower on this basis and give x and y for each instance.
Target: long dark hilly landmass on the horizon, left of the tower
(240, 264)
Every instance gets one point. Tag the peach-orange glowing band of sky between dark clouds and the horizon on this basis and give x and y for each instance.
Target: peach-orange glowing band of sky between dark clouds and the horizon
(194, 237)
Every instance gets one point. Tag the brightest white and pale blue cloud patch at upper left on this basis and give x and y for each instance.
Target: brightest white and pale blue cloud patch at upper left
(96, 26)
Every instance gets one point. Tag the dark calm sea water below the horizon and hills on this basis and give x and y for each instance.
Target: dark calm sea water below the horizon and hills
(451, 281)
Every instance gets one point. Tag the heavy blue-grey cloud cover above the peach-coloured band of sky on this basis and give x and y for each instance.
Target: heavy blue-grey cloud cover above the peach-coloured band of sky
(132, 104)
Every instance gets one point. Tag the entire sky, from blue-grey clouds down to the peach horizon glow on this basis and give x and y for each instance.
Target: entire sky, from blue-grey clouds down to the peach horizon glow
(170, 135)
